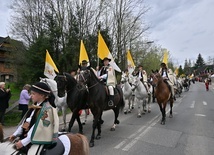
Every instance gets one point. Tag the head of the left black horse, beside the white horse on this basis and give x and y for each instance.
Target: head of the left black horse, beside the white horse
(61, 81)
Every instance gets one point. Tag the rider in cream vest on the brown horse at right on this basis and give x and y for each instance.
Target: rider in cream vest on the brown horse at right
(166, 74)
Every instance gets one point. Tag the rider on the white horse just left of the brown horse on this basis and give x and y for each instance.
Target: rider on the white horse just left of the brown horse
(143, 77)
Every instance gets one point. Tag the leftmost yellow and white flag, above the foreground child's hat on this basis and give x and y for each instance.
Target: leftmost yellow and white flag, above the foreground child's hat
(50, 67)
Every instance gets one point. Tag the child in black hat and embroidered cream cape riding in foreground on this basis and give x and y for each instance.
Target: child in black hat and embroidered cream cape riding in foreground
(41, 123)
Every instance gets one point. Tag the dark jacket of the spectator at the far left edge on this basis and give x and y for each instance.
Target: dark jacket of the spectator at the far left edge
(4, 99)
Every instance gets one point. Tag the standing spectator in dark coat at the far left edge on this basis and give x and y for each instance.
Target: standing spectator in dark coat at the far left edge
(5, 95)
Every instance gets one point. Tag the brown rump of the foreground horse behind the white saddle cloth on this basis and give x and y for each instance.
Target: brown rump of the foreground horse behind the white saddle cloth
(79, 144)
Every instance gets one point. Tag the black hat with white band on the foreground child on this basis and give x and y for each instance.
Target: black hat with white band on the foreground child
(41, 88)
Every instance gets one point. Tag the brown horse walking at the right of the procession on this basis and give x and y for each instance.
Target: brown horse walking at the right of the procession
(162, 94)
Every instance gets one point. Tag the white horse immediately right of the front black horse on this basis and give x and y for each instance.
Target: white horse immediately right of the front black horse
(127, 93)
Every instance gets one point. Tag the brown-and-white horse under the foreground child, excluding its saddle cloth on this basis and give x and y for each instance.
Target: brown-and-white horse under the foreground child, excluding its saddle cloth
(79, 145)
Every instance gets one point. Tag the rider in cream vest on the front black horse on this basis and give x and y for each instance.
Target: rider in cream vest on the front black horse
(107, 74)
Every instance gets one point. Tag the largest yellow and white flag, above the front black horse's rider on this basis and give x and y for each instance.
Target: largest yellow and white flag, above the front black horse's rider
(103, 52)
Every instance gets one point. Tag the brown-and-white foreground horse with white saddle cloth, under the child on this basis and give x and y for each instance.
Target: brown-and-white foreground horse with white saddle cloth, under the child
(72, 143)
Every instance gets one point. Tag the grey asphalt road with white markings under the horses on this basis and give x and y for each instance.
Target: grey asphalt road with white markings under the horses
(189, 132)
